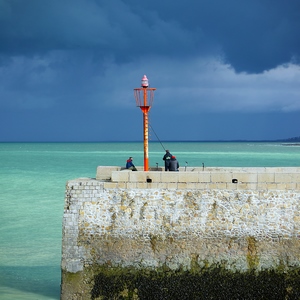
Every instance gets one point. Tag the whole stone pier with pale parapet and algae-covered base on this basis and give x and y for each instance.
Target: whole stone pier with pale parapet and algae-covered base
(210, 233)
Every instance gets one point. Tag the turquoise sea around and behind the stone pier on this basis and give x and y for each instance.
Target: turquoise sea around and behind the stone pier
(33, 178)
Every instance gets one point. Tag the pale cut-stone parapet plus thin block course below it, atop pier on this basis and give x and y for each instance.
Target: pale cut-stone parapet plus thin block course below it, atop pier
(199, 178)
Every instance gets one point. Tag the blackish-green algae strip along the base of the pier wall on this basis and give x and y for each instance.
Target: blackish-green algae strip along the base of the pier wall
(218, 283)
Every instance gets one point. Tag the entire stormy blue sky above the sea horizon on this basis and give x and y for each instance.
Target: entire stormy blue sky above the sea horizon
(223, 70)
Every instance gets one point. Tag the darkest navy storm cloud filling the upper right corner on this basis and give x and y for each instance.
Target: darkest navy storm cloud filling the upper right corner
(253, 36)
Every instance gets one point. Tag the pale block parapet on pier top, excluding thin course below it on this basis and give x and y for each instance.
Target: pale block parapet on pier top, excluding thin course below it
(239, 175)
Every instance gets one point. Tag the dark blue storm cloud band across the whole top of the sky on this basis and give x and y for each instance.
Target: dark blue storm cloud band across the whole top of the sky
(252, 36)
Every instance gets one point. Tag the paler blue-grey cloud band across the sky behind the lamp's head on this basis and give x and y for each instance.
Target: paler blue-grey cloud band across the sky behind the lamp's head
(200, 84)
